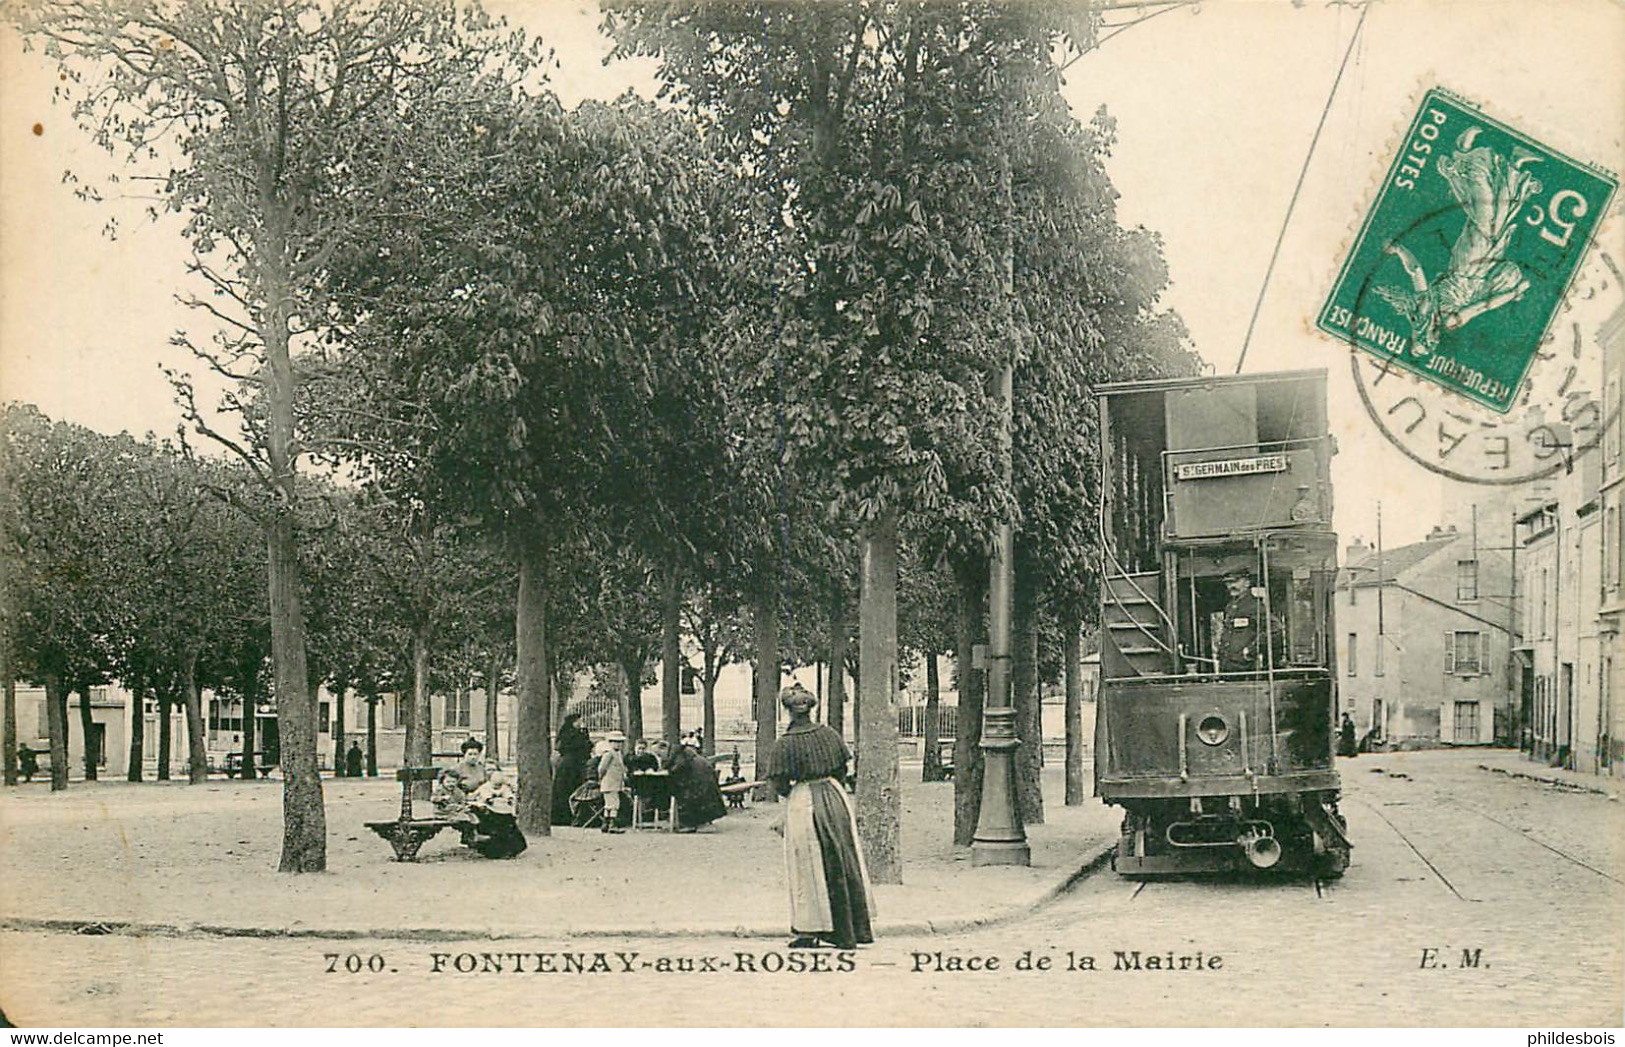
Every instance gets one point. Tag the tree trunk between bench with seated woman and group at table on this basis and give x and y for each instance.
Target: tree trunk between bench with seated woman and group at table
(534, 703)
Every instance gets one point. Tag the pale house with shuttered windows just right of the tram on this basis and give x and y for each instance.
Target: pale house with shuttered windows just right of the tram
(1424, 641)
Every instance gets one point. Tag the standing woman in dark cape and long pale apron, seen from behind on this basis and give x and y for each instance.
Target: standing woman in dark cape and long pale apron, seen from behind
(831, 901)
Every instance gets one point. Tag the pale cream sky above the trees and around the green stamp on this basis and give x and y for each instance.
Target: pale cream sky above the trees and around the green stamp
(1216, 106)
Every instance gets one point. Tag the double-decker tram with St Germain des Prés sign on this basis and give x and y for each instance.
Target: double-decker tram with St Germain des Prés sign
(1218, 684)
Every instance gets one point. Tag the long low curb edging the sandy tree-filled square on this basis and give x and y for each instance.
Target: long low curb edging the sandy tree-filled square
(136, 929)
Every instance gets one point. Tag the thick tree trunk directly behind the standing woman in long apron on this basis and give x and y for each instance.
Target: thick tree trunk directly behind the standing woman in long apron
(880, 801)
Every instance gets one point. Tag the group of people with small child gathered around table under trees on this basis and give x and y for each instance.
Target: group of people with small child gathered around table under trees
(602, 781)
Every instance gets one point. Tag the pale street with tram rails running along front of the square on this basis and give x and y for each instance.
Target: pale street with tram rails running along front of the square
(1473, 900)
